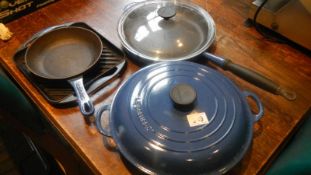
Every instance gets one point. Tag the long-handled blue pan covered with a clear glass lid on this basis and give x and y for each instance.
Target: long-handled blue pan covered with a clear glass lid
(165, 30)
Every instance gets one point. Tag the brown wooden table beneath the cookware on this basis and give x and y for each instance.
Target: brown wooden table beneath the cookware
(286, 65)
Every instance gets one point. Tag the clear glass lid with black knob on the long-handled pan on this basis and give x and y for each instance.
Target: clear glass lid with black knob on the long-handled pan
(166, 30)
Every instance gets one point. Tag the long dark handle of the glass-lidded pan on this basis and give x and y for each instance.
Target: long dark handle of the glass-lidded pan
(250, 76)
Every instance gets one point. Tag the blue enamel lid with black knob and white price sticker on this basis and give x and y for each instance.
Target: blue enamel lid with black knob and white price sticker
(158, 136)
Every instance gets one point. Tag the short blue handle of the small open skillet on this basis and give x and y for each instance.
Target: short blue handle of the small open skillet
(85, 104)
